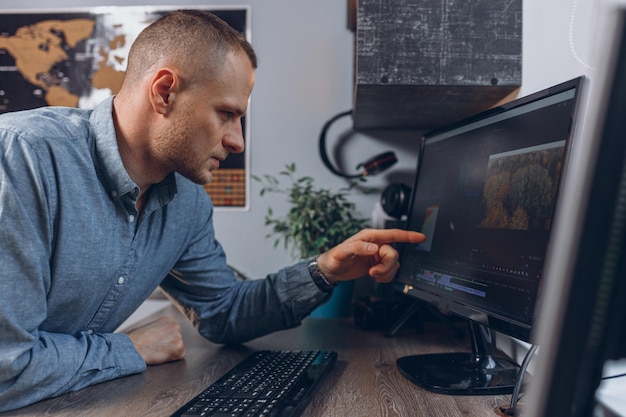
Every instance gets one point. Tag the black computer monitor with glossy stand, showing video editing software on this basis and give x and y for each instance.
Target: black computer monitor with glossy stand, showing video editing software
(484, 195)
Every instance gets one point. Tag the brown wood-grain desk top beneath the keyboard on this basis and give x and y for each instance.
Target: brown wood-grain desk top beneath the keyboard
(364, 382)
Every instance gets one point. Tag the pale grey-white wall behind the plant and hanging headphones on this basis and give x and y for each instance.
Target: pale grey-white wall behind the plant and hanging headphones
(305, 77)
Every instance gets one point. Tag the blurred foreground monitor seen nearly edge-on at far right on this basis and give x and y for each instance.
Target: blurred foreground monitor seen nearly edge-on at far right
(582, 312)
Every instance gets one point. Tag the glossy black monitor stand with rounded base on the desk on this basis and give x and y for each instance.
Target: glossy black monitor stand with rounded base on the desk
(475, 373)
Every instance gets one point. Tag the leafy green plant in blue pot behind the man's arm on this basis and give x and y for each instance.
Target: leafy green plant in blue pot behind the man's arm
(317, 220)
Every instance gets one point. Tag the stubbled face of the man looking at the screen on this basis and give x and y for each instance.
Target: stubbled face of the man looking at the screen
(205, 125)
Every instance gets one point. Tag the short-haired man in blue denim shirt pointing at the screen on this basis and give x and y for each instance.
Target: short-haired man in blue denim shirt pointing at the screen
(98, 208)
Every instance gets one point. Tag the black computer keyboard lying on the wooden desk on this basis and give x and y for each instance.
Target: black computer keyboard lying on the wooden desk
(268, 383)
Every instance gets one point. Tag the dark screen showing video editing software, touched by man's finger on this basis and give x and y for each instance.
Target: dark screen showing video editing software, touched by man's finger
(484, 199)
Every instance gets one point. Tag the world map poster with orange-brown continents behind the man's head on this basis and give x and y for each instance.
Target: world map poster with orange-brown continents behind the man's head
(77, 58)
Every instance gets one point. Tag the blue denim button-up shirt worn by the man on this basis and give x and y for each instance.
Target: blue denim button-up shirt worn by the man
(76, 261)
